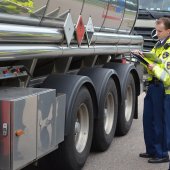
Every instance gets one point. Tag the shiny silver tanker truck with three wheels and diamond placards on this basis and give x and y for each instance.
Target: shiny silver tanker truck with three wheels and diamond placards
(67, 84)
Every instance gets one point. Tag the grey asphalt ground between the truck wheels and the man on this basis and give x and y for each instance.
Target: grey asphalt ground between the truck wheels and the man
(123, 152)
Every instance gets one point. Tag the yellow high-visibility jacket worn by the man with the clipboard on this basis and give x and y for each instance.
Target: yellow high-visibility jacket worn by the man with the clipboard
(162, 71)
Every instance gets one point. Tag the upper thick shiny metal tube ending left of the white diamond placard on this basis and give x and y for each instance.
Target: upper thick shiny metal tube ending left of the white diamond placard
(22, 33)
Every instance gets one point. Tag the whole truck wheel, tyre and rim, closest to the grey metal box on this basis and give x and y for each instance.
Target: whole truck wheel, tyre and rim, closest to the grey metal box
(76, 146)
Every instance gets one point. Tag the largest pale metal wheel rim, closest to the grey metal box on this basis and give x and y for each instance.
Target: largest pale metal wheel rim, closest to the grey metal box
(81, 128)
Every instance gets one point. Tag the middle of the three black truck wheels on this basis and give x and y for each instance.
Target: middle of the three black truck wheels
(103, 134)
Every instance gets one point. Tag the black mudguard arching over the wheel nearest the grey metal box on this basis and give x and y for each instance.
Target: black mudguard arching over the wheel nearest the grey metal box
(70, 85)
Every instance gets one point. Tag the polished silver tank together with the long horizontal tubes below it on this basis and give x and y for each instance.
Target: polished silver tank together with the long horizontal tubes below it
(39, 31)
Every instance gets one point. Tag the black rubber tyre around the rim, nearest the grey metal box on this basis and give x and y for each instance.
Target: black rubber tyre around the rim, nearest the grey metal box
(70, 157)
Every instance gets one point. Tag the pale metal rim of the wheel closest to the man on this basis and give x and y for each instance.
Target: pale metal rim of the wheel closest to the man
(128, 103)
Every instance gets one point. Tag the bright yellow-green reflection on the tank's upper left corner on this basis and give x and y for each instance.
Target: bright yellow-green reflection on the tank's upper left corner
(16, 6)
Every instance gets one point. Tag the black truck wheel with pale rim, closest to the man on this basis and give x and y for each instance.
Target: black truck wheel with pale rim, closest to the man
(127, 109)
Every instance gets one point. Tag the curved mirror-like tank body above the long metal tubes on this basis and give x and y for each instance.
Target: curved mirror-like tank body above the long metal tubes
(116, 16)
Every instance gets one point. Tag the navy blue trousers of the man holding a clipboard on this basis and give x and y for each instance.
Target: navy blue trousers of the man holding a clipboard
(154, 121)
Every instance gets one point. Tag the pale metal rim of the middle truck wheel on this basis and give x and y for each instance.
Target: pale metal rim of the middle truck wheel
(109, 113)
